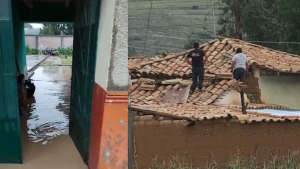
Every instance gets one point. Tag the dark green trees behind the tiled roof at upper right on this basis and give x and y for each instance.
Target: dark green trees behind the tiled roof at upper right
(262, 20)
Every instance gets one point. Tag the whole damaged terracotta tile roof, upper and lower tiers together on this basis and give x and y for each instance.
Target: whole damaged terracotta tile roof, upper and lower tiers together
(160, 85)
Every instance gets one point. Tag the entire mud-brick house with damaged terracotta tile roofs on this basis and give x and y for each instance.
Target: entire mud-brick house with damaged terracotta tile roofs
(160, 97)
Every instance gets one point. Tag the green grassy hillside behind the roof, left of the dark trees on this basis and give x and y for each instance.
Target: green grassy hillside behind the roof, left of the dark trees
(165, 32)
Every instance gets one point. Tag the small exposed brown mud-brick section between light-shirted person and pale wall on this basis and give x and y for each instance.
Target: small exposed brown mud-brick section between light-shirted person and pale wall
(253, 91)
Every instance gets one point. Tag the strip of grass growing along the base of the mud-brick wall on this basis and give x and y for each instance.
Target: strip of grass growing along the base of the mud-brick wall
(237, 161)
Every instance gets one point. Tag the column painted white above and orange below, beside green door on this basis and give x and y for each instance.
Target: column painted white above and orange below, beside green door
(109, 125)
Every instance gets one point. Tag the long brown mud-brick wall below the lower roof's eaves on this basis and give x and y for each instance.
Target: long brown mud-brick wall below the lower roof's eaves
(214, 138)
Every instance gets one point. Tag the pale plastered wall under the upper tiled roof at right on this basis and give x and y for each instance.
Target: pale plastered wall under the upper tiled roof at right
(283, 90)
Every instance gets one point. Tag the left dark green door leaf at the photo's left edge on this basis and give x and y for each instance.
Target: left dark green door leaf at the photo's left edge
(10, 137)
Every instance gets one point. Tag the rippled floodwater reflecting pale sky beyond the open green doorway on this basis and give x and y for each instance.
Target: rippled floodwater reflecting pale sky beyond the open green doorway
(49, 115)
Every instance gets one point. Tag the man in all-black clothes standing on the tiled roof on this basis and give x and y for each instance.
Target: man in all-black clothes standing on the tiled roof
(196, 59)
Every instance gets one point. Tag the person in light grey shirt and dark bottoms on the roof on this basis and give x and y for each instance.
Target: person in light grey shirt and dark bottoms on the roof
(239, 65)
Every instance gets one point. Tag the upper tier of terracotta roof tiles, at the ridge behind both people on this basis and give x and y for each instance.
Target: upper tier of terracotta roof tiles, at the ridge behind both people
(219, 52)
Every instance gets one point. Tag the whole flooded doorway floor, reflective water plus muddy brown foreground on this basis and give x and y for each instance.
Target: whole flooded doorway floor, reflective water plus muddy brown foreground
(45, 140)
